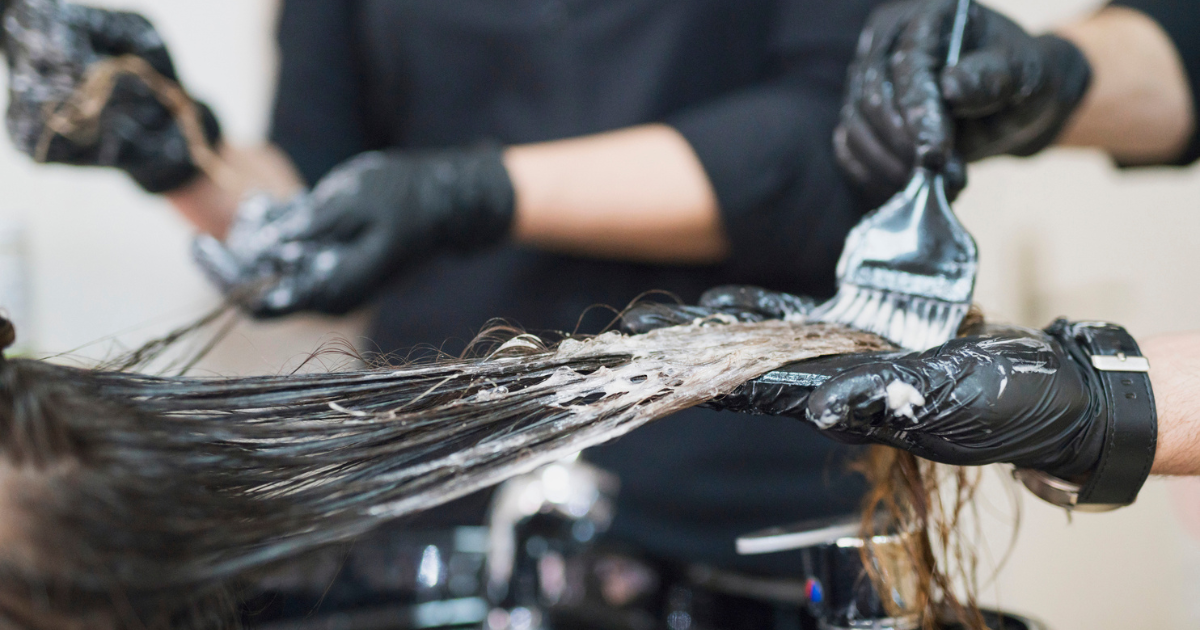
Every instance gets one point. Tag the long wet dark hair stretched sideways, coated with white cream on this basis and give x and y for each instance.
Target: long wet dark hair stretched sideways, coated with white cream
(136, 502)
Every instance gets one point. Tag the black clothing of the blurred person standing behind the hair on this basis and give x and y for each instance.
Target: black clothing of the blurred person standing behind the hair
(754, 86)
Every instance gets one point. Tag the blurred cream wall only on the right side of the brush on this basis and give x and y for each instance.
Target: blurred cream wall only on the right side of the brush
(1067, 235)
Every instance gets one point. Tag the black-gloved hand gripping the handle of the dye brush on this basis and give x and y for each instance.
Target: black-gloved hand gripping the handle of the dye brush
(1011, 93)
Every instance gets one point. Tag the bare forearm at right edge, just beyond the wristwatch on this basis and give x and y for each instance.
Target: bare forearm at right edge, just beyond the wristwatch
(1175, 377)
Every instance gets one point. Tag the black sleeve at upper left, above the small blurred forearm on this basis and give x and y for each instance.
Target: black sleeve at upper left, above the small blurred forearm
(320, 116)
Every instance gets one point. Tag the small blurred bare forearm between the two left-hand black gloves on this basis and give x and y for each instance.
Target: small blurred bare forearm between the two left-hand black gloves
(211, 207)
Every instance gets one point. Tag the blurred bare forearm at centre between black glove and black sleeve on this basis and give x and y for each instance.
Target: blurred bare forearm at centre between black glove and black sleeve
(635, 195)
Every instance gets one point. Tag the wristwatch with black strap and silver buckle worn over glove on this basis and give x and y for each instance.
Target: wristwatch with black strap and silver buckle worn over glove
(1131, 423)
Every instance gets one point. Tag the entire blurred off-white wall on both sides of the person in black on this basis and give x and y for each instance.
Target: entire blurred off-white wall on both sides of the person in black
(1061, 235)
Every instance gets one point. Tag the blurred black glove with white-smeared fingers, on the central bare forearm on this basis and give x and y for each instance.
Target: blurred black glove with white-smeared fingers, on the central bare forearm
(365, 223)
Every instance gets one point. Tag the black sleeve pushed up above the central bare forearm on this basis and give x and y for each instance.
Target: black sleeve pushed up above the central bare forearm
(769, 151)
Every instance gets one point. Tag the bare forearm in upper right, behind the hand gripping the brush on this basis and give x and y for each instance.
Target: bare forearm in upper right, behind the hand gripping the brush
(1139, 107)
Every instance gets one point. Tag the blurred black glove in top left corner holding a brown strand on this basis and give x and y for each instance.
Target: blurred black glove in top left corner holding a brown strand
(50, 46)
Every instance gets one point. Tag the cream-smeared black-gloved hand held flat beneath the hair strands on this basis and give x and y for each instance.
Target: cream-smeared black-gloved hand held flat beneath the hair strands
(1009, 395)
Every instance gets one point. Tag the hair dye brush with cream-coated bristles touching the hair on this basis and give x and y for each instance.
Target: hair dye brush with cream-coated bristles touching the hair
(909, 269)
